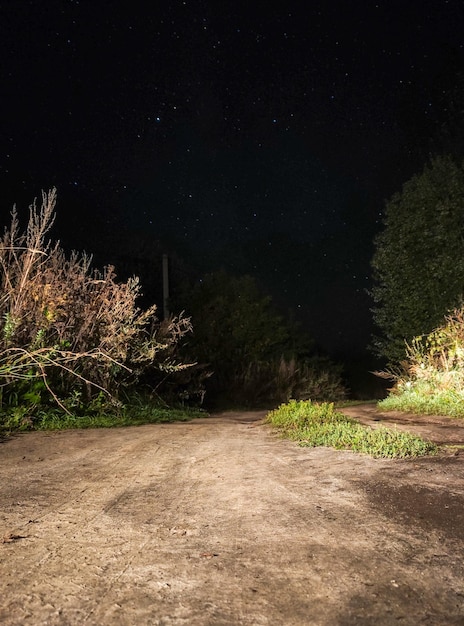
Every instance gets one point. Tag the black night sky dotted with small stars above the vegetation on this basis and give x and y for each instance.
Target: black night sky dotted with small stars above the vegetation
(258, 136)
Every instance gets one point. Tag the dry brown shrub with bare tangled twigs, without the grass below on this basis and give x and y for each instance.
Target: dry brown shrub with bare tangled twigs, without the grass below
(68, 324)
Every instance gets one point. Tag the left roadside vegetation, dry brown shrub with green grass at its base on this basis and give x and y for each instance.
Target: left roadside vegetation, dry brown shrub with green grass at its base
(75, 349)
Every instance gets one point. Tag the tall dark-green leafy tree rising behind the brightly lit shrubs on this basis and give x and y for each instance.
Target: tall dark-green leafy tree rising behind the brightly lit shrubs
(418, 264)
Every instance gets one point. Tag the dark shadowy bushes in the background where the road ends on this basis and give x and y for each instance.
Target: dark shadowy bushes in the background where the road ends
(256, 357)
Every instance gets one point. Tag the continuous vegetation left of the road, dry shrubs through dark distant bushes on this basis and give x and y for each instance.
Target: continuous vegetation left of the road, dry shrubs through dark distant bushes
(77, 351)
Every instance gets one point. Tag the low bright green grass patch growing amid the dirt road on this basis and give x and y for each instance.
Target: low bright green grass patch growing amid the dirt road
(321, 425)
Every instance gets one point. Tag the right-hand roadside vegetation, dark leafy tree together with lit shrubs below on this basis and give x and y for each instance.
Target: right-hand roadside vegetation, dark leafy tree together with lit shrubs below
(418, 271)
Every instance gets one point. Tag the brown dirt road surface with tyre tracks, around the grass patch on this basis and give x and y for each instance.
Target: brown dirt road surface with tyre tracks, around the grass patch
(219, 522)
